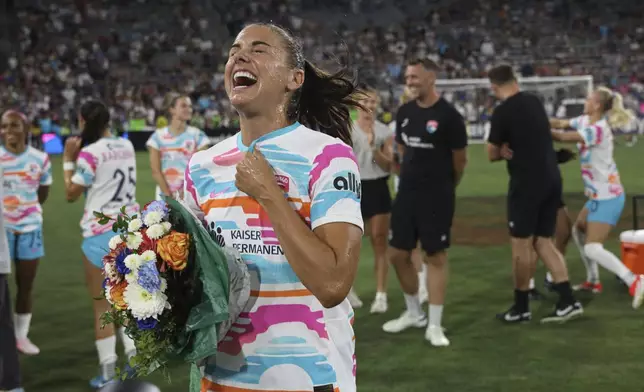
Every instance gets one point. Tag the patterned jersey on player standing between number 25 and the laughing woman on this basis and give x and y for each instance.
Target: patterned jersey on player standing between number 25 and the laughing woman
(176, 152)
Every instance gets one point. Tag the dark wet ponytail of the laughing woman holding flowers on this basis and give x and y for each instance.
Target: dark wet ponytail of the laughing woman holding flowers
(325, 100)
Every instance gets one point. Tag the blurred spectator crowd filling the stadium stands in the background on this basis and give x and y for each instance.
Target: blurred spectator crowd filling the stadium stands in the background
(60, 55)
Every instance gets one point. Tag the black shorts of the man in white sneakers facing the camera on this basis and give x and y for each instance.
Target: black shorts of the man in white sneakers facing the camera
(422, 215)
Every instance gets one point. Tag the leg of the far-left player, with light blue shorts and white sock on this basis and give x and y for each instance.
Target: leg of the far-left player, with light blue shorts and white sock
(29, 251)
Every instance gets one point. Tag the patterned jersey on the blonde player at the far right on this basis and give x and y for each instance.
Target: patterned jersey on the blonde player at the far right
(598, 168)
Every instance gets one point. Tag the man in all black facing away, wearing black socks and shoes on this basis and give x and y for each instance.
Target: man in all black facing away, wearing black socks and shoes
(520, 131)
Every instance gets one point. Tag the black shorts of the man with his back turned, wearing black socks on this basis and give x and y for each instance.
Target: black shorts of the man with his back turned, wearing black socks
(533, 212)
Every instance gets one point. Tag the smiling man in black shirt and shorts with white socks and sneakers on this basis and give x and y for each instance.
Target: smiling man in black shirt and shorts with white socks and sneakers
(432, 138)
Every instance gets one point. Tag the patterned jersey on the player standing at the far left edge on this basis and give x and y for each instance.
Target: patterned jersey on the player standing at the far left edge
(23, 175)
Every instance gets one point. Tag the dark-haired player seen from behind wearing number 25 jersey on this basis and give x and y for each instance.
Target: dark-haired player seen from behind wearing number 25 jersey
(104, 169)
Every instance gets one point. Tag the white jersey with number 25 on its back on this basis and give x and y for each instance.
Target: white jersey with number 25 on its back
(108, 169)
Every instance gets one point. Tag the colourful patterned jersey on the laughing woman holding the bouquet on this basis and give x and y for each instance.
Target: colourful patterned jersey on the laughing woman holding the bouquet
(284, 324)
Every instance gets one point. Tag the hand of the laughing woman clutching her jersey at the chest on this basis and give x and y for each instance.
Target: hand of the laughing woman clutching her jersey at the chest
(255, 177)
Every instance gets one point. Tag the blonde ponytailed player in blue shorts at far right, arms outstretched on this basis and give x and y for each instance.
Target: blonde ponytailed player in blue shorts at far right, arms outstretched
(603, 111)
